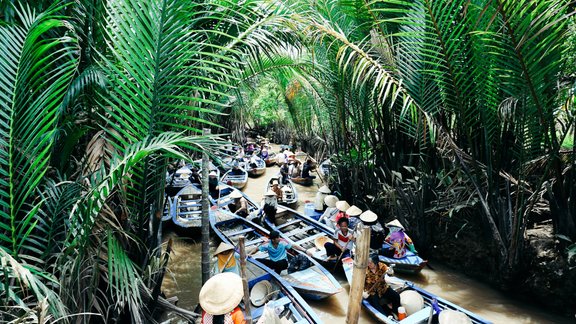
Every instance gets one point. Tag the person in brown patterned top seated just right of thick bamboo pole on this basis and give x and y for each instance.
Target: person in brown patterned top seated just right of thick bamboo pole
(377, 291)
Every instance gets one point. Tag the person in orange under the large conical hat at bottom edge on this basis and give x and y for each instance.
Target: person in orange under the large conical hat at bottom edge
(219, 299)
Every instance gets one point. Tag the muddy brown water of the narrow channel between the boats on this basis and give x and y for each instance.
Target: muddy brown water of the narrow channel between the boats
(184, 279)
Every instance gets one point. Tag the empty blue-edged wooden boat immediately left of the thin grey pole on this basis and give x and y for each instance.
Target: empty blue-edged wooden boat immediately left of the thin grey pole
(187, 208)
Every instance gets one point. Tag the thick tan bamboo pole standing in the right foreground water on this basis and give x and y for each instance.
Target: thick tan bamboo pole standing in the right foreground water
(359, 275)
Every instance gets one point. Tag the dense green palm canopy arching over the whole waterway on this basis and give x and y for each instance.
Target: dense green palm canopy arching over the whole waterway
(428, 108)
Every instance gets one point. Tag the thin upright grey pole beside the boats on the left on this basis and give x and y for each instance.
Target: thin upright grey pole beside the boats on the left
(205, 215)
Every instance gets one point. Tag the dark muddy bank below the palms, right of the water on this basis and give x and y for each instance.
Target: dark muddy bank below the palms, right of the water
(543, 277)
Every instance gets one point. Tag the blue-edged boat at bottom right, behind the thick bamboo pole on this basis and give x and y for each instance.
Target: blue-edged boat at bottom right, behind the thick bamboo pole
(400, 285)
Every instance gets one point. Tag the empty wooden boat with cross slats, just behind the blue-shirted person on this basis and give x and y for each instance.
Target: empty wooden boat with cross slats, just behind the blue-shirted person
(302, 230)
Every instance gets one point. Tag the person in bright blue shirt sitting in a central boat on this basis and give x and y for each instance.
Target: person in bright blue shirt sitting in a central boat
(276, 248)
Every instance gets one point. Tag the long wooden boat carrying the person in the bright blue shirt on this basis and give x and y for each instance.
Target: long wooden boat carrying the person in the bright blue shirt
(313, 283)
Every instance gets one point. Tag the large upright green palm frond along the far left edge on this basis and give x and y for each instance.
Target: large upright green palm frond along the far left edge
(36, 69)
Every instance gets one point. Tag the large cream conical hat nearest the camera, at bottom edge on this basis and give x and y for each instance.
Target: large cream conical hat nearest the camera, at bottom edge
(221, 293)
